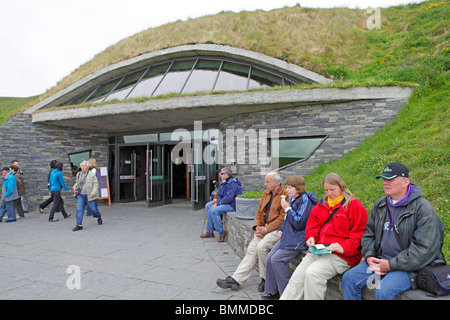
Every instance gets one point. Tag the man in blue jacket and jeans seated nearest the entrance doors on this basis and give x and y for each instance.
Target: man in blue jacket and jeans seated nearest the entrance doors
(229, 190)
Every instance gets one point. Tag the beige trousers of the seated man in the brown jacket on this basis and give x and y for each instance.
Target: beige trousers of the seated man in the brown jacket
(257, 252)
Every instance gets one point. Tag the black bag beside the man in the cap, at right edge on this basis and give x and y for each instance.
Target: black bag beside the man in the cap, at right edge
(435, 279)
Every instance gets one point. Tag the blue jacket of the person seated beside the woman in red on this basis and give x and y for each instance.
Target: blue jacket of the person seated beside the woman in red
(293, 228)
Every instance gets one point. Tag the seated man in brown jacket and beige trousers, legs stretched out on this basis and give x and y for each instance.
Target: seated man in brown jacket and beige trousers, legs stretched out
(268, 218)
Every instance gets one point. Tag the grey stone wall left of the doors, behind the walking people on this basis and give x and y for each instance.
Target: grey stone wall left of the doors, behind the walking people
(35, 145)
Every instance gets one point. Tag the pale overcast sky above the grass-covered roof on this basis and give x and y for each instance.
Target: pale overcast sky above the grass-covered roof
(42, 41)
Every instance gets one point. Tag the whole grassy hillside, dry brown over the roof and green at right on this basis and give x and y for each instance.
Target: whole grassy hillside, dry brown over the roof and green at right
(412, 46)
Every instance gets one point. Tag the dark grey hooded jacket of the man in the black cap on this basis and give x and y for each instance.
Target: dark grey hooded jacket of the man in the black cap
(421, 234)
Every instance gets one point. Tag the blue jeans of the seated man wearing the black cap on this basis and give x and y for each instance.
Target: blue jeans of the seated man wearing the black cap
(387, 286)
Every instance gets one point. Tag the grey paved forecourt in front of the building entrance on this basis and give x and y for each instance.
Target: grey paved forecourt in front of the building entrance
(138, 253)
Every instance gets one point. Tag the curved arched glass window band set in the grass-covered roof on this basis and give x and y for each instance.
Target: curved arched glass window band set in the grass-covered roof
(186, 75)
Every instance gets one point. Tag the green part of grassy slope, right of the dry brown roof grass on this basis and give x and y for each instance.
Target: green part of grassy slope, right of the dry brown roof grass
(412, 46)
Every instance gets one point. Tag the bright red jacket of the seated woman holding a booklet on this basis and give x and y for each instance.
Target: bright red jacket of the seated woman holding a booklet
(346, 227)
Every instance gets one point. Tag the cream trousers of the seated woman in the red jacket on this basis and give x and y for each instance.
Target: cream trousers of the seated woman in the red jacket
(309, 280)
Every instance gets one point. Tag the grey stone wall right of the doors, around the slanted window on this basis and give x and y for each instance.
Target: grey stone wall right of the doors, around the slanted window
(346, 124)
